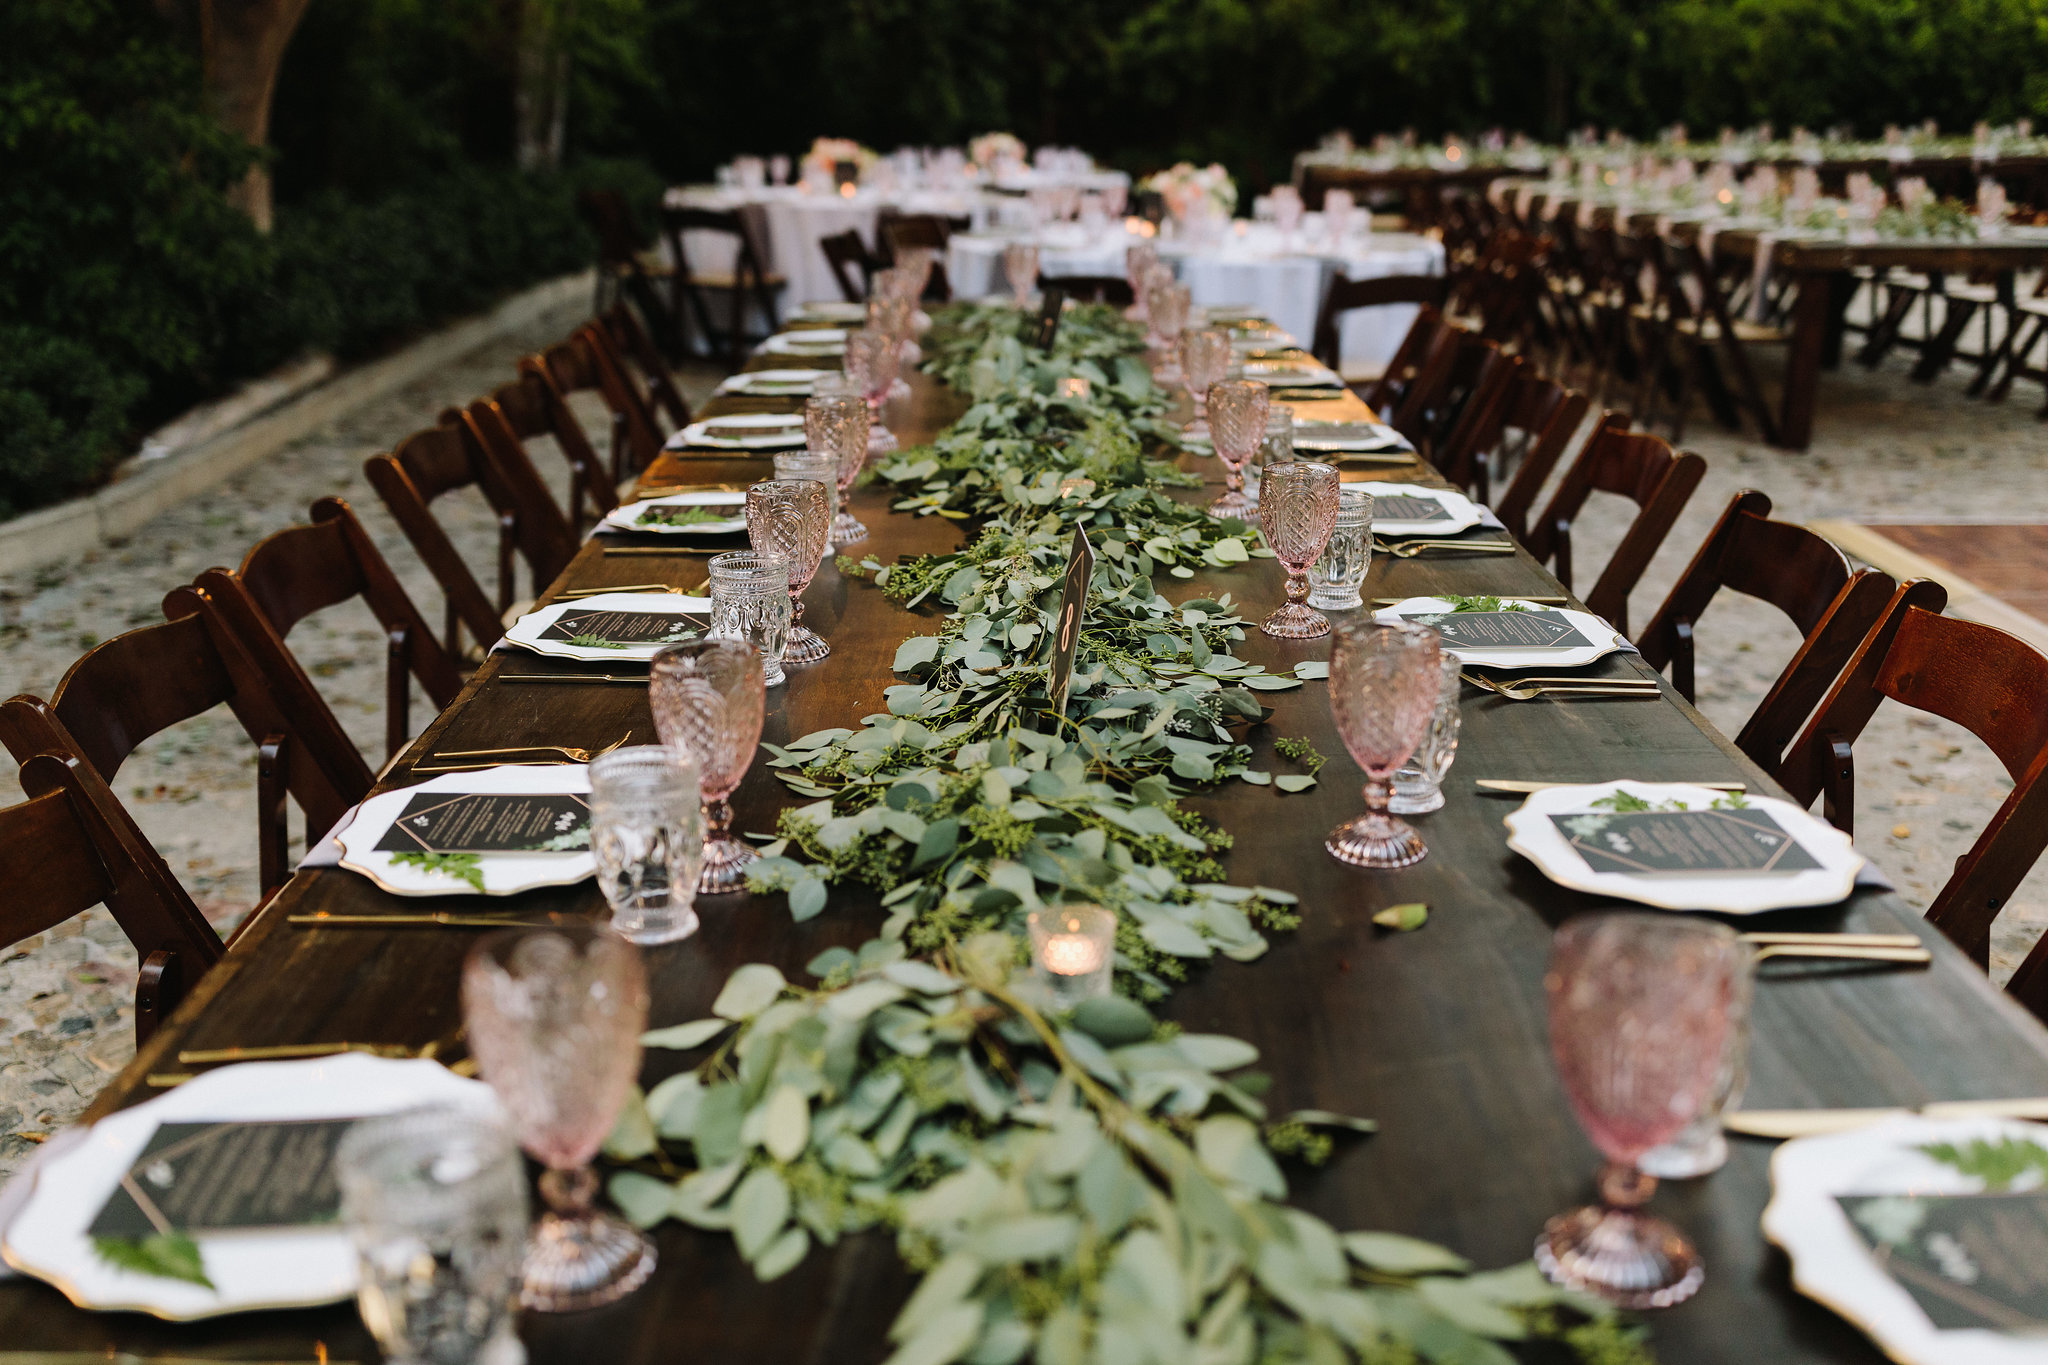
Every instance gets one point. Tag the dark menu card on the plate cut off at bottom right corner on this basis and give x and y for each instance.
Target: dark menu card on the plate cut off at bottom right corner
(1969, 1262)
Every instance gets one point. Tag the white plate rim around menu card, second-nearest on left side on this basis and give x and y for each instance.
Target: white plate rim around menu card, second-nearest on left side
(505, 875)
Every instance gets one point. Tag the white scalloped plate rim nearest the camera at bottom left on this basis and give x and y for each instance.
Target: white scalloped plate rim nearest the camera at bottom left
(257, 1270)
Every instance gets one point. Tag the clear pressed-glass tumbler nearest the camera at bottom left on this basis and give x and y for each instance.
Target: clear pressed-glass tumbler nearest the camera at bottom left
(435, 1202)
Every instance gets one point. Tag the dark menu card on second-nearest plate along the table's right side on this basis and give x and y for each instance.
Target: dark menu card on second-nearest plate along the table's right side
(1684, 842)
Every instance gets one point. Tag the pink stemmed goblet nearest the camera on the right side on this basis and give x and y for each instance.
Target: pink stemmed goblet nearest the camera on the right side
(1639, 1018)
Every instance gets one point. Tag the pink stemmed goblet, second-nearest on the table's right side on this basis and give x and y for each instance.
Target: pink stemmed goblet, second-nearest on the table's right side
(1383, 687)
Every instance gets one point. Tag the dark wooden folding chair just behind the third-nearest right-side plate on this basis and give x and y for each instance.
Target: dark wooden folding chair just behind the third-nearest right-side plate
(1633, 466)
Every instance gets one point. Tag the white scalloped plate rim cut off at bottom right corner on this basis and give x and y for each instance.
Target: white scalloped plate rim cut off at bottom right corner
(1834, 1266)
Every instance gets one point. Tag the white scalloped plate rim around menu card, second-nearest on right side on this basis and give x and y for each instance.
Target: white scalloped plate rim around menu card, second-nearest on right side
(1533, 836)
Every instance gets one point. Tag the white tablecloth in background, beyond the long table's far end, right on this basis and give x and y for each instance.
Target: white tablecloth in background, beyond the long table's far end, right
(1256, 269)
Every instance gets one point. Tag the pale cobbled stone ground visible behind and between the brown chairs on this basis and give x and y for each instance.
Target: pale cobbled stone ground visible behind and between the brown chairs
(1887, 451)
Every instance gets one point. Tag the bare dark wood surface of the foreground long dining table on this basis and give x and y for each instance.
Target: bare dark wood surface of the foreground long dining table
(1439, 1034)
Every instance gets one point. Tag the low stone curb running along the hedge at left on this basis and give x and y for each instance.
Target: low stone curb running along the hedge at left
(118, 511)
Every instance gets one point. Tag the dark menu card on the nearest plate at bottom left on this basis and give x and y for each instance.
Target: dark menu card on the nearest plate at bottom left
(210, 1178)
